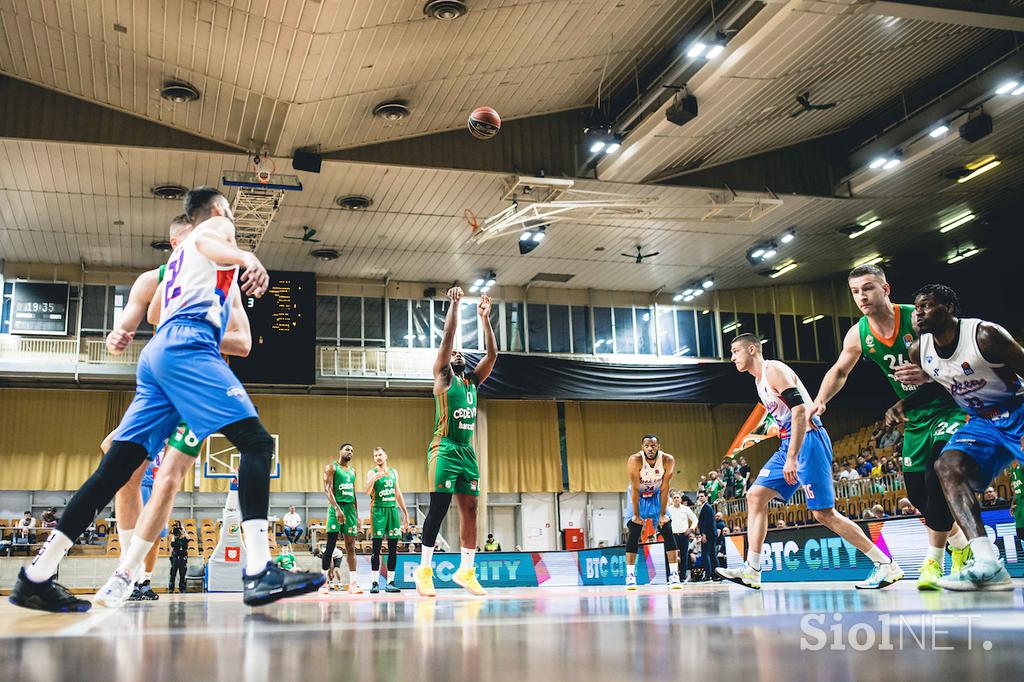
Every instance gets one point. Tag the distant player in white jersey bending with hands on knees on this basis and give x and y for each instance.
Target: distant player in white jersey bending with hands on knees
(651, 474)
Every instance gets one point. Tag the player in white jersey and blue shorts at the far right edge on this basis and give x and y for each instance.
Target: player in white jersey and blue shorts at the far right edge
(982, 366)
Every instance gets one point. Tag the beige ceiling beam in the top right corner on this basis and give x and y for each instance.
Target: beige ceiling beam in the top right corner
(998, 16)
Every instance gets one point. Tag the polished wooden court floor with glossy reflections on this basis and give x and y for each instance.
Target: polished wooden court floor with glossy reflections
(719, 632)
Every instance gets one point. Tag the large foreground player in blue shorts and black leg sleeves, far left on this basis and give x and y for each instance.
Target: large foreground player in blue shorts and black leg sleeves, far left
(182, 377)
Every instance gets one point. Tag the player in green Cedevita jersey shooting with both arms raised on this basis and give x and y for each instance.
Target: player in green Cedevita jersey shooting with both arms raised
(454, 470)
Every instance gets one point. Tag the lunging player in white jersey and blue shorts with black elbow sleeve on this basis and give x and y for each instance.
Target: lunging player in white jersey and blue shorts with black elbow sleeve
(803, 460)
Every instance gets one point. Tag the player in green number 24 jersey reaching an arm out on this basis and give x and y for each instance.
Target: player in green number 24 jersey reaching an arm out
(884, 336)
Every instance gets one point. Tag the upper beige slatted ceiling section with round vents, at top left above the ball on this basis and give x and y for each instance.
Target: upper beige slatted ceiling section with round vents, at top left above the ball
(293, 73)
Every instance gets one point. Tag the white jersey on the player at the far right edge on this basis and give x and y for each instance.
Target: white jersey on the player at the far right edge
(977, 386)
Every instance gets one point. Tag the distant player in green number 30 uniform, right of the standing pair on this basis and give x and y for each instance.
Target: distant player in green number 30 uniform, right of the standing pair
(386, 524)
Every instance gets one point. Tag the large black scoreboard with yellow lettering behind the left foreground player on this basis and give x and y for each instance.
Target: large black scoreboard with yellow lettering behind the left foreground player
(284, 329)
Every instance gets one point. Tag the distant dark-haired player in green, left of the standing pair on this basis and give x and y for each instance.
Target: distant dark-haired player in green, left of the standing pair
(344, 514)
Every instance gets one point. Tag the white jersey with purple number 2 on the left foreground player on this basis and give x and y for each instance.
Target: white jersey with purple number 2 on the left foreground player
(195, 287)
